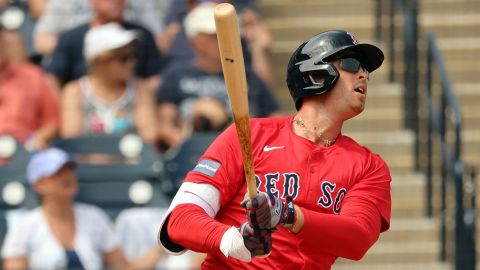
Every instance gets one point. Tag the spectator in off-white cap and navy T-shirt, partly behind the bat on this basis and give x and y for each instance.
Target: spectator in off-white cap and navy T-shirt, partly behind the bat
(190, 81)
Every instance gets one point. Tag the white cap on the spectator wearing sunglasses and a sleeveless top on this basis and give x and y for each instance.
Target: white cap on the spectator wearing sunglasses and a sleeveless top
(106, 37)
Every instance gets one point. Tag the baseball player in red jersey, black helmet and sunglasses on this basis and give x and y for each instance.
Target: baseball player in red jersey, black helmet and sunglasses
(320, 196)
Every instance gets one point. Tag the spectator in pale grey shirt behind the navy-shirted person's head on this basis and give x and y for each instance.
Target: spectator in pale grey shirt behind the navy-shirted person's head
(61, 15)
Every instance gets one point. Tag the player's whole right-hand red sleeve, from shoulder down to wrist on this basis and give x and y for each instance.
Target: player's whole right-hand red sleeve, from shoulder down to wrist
(364, 214)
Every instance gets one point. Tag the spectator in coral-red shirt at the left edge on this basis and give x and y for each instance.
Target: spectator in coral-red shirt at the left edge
(29, 108)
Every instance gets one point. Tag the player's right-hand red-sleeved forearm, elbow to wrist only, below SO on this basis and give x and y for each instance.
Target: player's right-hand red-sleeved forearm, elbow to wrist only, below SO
(343, 236)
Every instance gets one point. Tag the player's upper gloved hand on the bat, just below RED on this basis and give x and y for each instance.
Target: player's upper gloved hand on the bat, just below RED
(266, 211)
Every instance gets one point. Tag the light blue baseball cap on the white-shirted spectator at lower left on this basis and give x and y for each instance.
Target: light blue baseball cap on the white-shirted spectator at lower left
(46, 163)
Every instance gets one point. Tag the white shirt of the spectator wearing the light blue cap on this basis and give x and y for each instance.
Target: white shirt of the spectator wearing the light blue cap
(30, 236)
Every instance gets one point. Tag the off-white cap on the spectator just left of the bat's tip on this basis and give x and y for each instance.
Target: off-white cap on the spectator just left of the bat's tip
(200, 20)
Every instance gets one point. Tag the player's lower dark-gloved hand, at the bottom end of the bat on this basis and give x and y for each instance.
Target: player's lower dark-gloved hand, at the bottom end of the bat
(258, 242)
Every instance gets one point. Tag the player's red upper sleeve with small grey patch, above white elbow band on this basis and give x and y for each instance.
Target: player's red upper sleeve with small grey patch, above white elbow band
(221, 166)
